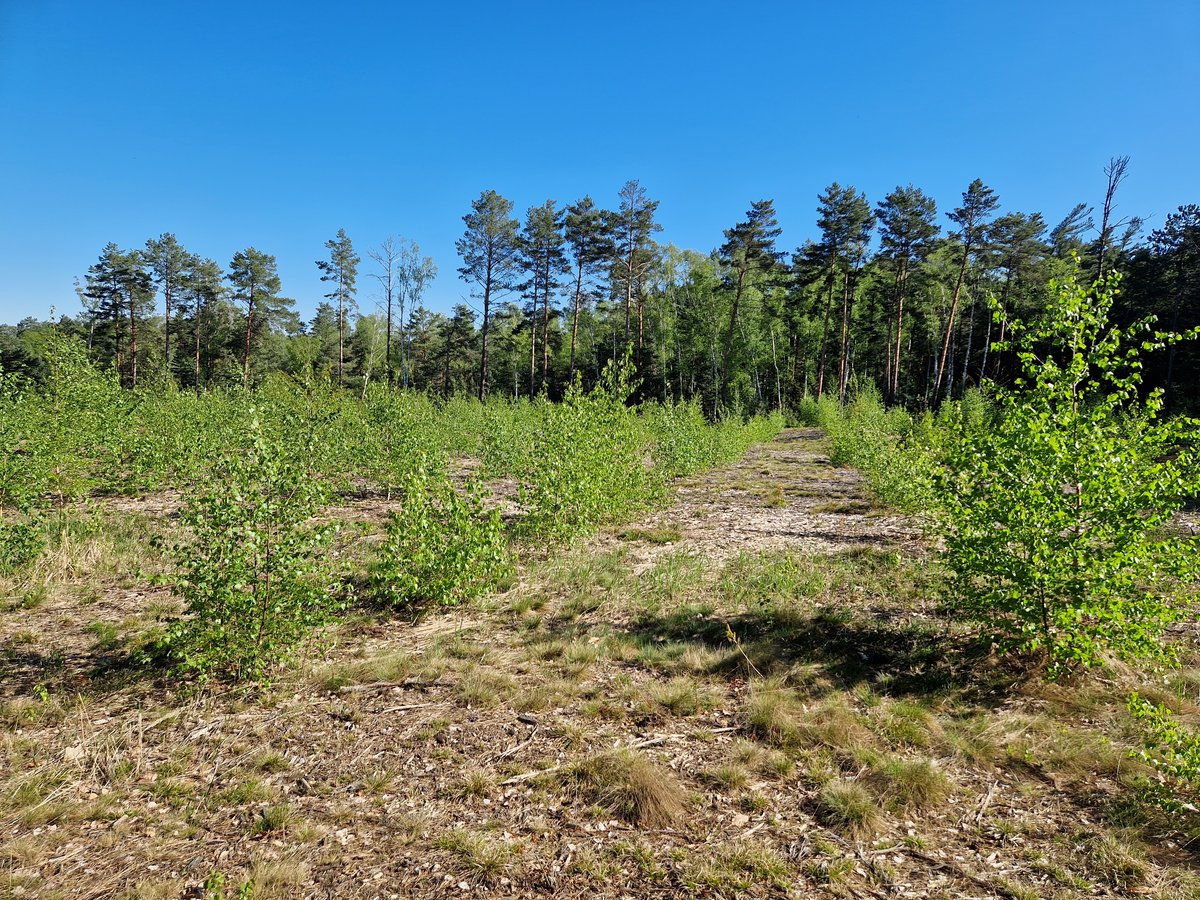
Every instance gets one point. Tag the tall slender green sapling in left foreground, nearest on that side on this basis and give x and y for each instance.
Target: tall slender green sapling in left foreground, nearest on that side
(256, 577)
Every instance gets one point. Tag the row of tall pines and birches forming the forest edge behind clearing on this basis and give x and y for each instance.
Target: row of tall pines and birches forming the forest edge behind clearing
(899, 293)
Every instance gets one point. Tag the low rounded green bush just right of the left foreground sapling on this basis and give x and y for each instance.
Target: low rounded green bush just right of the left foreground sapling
(445, 548)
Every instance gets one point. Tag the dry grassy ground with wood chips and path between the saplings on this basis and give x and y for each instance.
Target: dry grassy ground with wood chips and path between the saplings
(753, 693)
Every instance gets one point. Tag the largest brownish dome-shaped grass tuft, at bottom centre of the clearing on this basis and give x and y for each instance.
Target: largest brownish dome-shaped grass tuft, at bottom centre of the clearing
(632, 787)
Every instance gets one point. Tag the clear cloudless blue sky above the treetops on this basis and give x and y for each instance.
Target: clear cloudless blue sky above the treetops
(275, 124)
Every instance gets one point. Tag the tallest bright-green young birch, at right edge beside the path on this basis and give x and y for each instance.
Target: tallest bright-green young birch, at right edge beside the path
(1055, 517)
